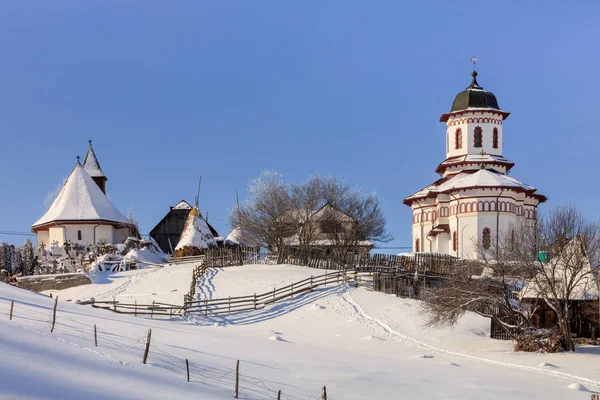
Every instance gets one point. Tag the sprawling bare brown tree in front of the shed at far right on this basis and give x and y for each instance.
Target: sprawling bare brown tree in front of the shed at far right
(513, 266)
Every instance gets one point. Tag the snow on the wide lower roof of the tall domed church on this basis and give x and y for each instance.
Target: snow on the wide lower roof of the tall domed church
(480, 178)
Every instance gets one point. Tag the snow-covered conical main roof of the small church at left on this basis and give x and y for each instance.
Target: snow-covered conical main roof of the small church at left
(81, 199)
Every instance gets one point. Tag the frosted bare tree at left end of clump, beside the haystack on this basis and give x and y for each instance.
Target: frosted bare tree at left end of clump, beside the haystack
(267, 218)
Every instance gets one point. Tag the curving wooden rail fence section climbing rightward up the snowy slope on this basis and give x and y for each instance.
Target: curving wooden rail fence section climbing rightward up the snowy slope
(210, 307)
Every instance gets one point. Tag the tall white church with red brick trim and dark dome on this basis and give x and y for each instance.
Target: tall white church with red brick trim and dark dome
(475, 199)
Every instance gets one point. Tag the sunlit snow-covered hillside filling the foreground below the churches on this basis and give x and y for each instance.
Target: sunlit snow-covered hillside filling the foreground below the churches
(361, 344)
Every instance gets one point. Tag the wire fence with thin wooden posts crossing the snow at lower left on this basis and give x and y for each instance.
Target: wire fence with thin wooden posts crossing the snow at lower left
(38, 319)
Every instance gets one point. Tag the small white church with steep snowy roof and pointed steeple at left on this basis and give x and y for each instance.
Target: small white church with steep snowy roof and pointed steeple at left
(82, 213)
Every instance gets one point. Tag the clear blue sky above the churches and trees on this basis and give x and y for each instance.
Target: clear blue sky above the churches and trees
(169, 91)
